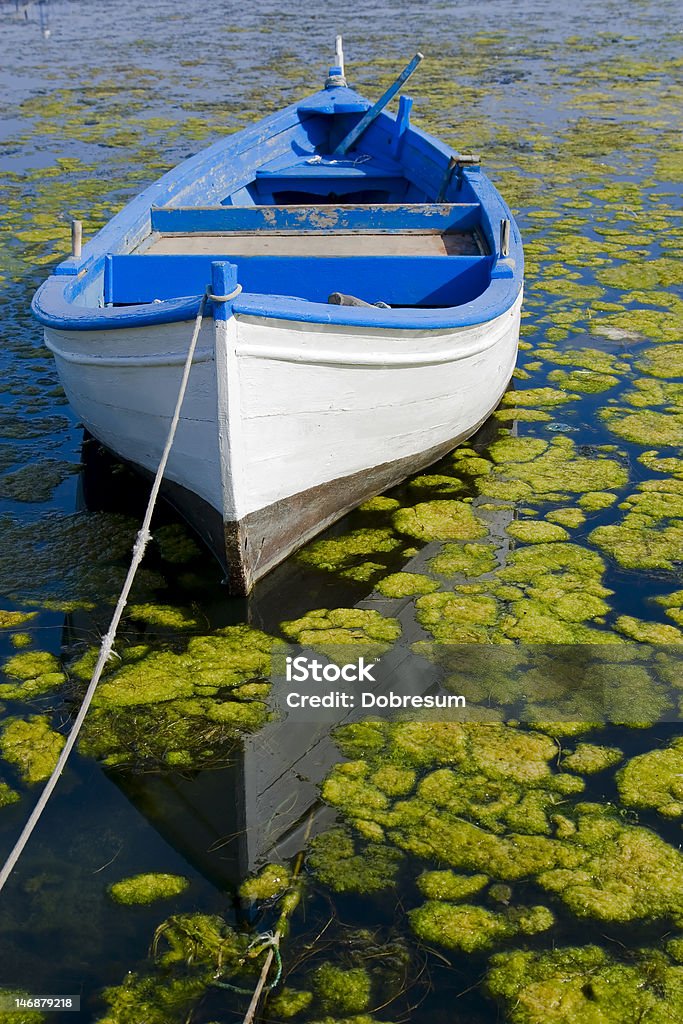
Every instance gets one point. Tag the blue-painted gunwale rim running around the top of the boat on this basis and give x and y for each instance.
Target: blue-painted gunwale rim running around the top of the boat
(62, 303)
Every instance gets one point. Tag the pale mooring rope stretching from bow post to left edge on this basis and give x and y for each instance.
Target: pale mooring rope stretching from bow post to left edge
(108, 641)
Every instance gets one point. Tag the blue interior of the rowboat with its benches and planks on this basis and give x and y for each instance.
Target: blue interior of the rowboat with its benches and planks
(396, 220)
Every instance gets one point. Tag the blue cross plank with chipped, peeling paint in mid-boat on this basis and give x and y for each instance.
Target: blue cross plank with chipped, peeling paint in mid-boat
(438, 218)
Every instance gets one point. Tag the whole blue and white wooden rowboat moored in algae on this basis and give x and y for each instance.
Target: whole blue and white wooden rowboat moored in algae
(367, 287)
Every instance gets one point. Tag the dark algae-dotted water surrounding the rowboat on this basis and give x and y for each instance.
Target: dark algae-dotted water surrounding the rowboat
(560, 525)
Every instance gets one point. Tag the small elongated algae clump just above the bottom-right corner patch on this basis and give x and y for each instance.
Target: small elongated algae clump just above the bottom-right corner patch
(473, 929)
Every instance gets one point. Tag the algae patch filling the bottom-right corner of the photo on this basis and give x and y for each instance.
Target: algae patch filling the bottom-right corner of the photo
(586, 986)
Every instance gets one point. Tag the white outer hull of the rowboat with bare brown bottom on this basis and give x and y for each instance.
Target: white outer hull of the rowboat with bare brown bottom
(286, 425)
